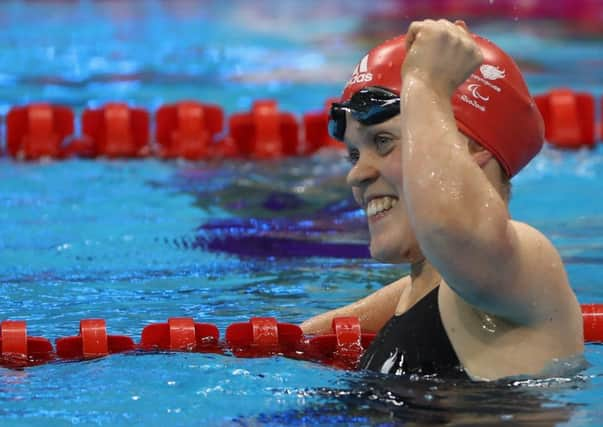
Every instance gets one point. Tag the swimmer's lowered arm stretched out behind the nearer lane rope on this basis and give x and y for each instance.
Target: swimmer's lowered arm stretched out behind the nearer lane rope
(373, 311)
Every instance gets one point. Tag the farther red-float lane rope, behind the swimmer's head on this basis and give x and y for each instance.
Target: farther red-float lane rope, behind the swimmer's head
(197, 131)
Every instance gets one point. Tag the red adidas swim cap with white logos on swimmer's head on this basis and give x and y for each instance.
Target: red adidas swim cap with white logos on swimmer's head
(493, 106)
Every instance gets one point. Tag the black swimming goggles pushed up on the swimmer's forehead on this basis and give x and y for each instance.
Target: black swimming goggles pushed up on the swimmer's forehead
(369, 106)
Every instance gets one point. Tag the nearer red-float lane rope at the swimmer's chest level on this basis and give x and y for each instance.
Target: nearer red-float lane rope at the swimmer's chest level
(259, 337)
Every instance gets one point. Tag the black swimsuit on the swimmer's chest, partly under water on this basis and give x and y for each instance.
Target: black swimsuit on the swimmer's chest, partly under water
(413, 342)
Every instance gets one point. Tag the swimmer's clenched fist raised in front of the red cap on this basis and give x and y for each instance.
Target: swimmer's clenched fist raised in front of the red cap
(440, 53)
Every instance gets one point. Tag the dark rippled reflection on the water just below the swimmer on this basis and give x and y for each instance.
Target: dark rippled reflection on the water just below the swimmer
(375, 399)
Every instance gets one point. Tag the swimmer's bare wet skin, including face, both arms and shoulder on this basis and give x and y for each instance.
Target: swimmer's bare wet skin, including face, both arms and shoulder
(504, 296)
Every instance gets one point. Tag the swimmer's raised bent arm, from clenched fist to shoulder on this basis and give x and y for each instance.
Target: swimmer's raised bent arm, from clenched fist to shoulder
(460, 220)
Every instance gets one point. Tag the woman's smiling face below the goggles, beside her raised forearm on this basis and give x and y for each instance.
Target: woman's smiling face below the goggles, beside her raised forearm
(376, 181)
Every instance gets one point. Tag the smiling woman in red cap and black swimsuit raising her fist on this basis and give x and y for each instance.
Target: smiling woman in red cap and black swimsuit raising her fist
(436, 123)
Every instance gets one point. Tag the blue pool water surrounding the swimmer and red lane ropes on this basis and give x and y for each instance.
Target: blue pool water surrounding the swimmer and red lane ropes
(129, 241)
